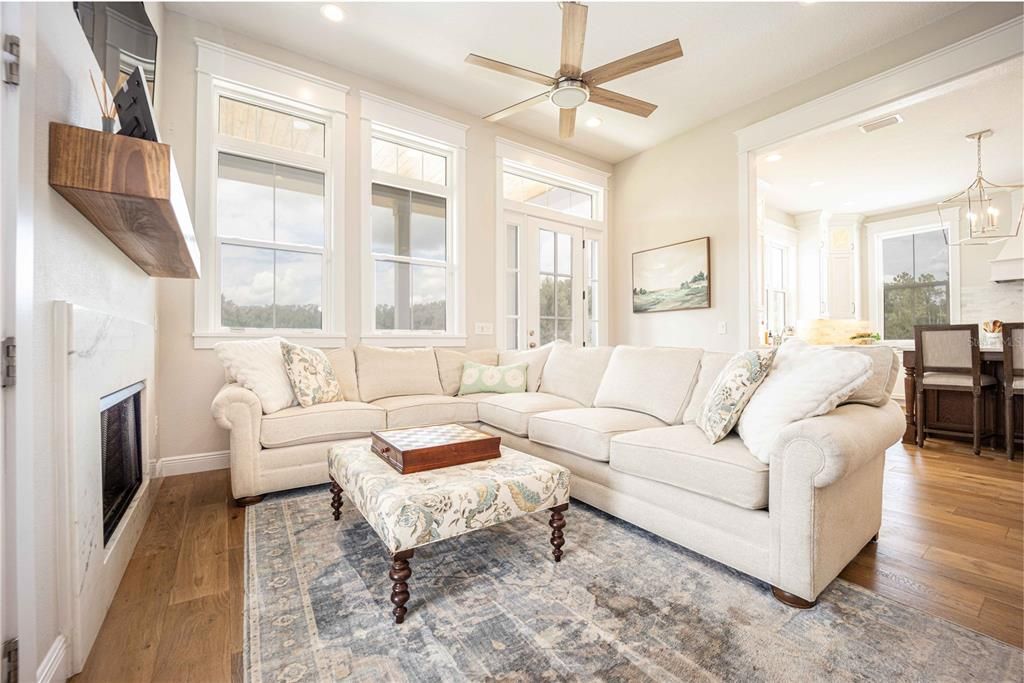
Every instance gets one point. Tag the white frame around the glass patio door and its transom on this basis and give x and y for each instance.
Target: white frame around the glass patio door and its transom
(545, 167)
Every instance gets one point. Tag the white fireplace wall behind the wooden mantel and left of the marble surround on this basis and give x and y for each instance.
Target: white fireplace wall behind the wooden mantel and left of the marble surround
(72, 262)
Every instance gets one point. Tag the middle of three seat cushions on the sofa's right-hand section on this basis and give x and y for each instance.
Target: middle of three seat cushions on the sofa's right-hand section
(587, 432)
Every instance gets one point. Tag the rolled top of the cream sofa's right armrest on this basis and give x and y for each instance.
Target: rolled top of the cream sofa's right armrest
(842, 441)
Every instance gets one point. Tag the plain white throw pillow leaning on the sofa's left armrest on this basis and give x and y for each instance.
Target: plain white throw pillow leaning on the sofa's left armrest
(260, 366)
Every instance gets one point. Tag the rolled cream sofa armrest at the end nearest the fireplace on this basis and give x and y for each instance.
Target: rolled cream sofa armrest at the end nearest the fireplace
(240, 411)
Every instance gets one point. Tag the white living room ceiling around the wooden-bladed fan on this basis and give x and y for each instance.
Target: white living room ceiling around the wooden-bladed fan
(736, 54)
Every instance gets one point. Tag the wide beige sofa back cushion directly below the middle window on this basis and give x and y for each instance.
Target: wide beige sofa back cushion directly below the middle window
(396, 372)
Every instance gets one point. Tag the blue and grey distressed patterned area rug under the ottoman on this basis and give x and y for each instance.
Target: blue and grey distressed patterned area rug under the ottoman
(623, 606)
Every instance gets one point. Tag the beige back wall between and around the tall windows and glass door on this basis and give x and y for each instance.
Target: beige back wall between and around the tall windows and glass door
(189, 378)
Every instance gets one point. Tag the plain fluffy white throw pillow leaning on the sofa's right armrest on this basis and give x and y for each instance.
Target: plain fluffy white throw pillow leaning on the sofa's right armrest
(805, 381)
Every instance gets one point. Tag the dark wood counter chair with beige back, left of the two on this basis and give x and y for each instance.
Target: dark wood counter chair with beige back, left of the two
(949, 359)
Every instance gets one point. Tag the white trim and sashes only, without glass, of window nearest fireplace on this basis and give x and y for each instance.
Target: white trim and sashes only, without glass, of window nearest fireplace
(224, 72)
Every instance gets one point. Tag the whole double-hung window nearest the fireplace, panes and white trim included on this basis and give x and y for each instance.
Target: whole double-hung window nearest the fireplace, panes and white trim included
(270, 182)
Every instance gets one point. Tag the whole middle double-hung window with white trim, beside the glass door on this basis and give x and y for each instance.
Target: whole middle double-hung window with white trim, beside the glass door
(413, 212)
